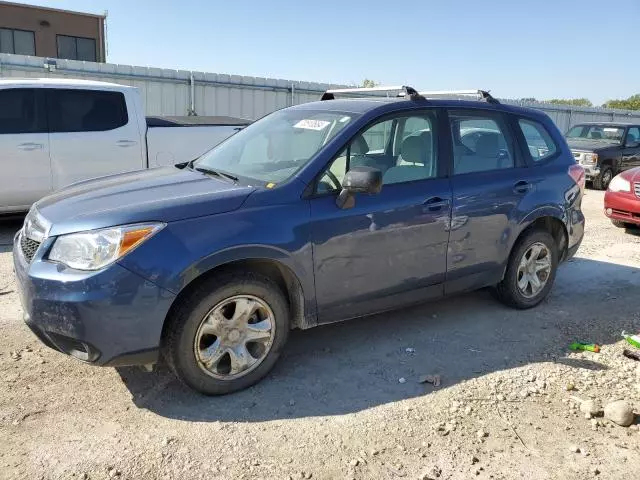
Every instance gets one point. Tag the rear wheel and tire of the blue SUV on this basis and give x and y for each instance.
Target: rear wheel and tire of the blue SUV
(508, 290)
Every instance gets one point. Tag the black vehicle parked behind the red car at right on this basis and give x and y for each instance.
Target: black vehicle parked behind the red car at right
(605, 149)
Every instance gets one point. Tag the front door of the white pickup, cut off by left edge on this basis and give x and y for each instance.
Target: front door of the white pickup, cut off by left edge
(25, 170)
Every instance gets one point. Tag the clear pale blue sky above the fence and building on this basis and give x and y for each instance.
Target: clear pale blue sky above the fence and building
(514, 48)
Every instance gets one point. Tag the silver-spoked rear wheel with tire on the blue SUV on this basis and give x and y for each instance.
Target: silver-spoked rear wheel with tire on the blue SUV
(531, 271)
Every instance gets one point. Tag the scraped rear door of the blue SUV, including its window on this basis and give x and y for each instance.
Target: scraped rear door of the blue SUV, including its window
(489, 181)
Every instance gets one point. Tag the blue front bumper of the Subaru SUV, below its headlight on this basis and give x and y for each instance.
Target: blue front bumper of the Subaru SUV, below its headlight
(109, 317)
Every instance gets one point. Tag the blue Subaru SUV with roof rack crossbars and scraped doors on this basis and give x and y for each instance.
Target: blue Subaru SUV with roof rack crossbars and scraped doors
(314, 214)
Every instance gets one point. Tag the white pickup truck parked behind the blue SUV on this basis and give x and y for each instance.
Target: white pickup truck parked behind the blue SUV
(55, 132)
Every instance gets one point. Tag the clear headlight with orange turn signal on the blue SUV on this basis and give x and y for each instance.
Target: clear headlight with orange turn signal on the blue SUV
(96, 249)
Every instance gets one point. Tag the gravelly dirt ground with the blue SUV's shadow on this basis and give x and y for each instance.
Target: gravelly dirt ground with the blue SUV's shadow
(344, 402)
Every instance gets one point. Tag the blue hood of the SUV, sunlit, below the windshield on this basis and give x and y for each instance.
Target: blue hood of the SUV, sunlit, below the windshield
(162, 194)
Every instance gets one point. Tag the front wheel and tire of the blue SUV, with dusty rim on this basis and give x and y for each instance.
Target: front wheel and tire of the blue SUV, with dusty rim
(219, 295)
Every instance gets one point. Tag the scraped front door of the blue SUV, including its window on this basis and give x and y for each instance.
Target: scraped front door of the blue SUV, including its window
(390, 248)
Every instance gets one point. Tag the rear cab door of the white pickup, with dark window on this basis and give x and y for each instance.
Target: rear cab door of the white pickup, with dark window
(91, 135)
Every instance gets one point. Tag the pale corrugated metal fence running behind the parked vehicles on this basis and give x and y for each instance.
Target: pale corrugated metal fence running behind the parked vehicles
(180, 92)
